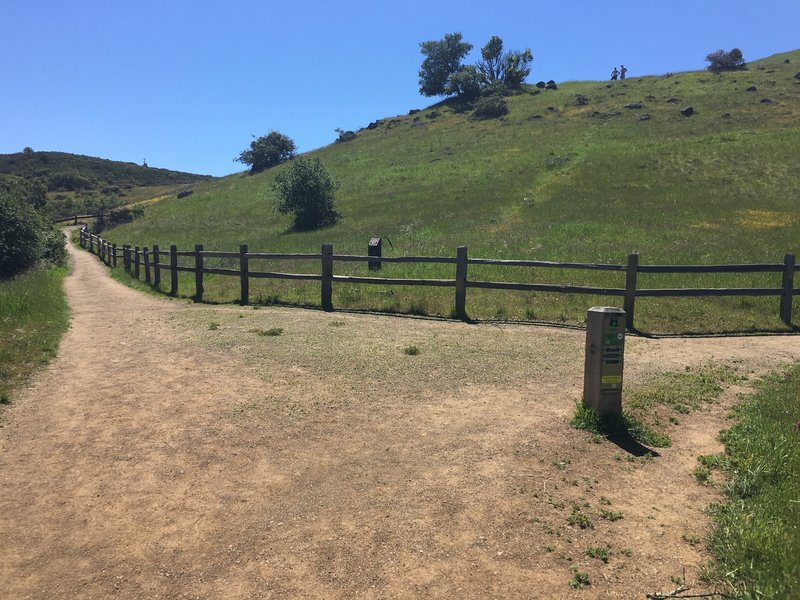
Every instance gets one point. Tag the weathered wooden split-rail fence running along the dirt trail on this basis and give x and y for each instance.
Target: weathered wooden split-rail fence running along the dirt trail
(136, 259)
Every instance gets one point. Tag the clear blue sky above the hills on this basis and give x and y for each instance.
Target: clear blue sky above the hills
(185, 84)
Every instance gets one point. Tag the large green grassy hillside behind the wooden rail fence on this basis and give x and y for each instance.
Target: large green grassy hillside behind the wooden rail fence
(570, 175)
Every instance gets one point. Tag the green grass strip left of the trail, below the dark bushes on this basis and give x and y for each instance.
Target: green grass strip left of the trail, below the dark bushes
(33, 317)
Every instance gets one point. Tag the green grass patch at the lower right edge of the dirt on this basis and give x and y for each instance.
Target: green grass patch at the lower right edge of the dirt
(756, 536)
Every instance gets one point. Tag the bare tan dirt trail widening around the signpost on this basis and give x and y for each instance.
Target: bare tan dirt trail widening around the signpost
(174, 451)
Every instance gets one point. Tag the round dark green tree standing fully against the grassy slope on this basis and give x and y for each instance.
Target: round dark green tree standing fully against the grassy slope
(306, 189)
